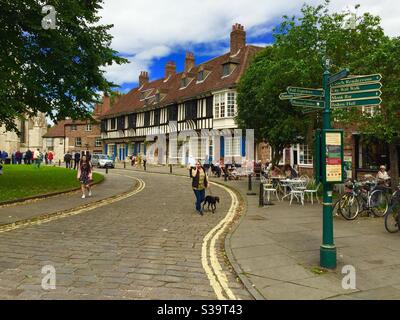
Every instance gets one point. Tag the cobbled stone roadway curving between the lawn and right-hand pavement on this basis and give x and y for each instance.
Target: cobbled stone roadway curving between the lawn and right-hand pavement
(148, 246)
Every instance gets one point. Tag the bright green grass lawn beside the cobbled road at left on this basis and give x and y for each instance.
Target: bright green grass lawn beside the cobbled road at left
(22, 181)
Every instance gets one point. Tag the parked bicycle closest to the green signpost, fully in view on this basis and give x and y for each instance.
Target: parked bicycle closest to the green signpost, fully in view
(363, 196)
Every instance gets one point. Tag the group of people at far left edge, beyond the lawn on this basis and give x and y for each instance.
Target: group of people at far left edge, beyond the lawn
(35, 157)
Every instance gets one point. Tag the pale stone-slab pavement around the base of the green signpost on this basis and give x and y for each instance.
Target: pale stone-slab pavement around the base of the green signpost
(276, 248)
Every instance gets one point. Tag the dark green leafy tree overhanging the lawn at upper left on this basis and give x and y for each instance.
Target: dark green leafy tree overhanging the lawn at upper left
(54, 71)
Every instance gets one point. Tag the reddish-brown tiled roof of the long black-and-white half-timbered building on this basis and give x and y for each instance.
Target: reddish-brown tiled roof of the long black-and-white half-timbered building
(171, 91)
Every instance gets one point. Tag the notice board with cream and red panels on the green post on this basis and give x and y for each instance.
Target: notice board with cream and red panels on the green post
(332, 151)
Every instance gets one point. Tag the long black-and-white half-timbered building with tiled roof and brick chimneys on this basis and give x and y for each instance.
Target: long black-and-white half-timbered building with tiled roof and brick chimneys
(201, 97)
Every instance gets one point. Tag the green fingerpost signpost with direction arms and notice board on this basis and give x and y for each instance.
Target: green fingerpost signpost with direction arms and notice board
(339, 91)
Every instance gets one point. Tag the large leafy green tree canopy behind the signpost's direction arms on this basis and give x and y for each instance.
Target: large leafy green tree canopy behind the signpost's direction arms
(295, 59)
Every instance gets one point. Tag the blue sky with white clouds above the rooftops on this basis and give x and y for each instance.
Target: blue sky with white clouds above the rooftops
(151, 32)
